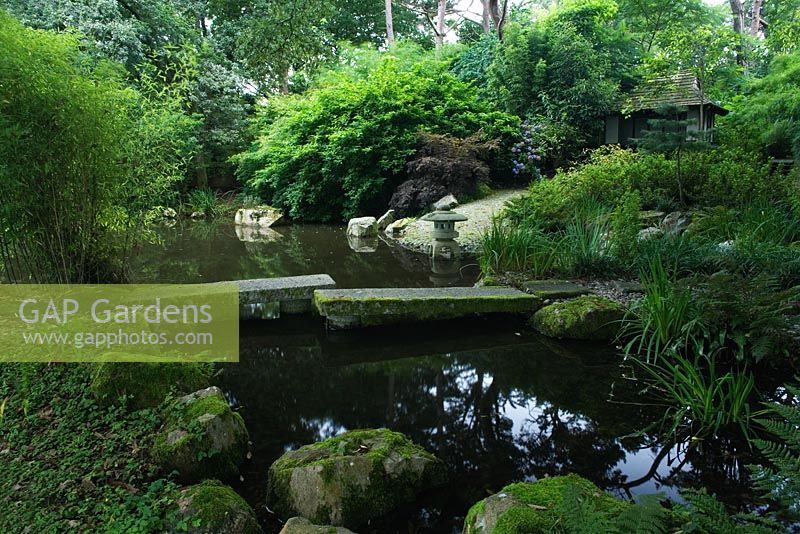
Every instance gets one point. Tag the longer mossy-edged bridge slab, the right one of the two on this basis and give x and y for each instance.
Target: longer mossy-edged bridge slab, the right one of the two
(354, 308)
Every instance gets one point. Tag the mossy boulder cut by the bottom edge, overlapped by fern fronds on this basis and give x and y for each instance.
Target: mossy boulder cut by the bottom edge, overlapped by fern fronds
(534, 507)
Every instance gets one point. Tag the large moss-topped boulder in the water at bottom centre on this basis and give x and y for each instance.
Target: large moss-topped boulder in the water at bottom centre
(352, 478)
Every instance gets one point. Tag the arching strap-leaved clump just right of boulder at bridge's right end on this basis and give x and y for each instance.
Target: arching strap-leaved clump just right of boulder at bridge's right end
(664, 320)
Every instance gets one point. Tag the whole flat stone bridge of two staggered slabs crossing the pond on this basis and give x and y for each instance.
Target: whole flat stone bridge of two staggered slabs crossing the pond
(268, 298)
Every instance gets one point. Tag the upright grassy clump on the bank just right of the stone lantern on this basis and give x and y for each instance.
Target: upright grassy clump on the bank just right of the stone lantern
(517, 248)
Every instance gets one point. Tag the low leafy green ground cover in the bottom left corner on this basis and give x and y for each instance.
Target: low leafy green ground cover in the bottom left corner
(67, 464)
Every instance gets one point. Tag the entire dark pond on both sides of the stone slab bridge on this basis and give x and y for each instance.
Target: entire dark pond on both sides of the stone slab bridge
(495, 401)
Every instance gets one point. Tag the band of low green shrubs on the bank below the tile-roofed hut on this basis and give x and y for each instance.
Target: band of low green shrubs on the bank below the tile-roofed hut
(709, 178)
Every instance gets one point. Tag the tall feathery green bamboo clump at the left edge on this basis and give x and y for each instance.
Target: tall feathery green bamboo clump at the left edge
(84, 157)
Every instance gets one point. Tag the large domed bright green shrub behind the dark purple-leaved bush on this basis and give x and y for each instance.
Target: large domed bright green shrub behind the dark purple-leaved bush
(341, 148)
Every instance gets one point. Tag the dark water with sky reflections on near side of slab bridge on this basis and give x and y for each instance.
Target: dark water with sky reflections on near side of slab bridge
(496, 404)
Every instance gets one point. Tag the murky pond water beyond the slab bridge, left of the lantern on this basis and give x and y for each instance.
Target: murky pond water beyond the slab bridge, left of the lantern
(202, 251)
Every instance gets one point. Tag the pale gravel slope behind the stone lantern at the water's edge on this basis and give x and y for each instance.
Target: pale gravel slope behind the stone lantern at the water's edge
(417, 235)
